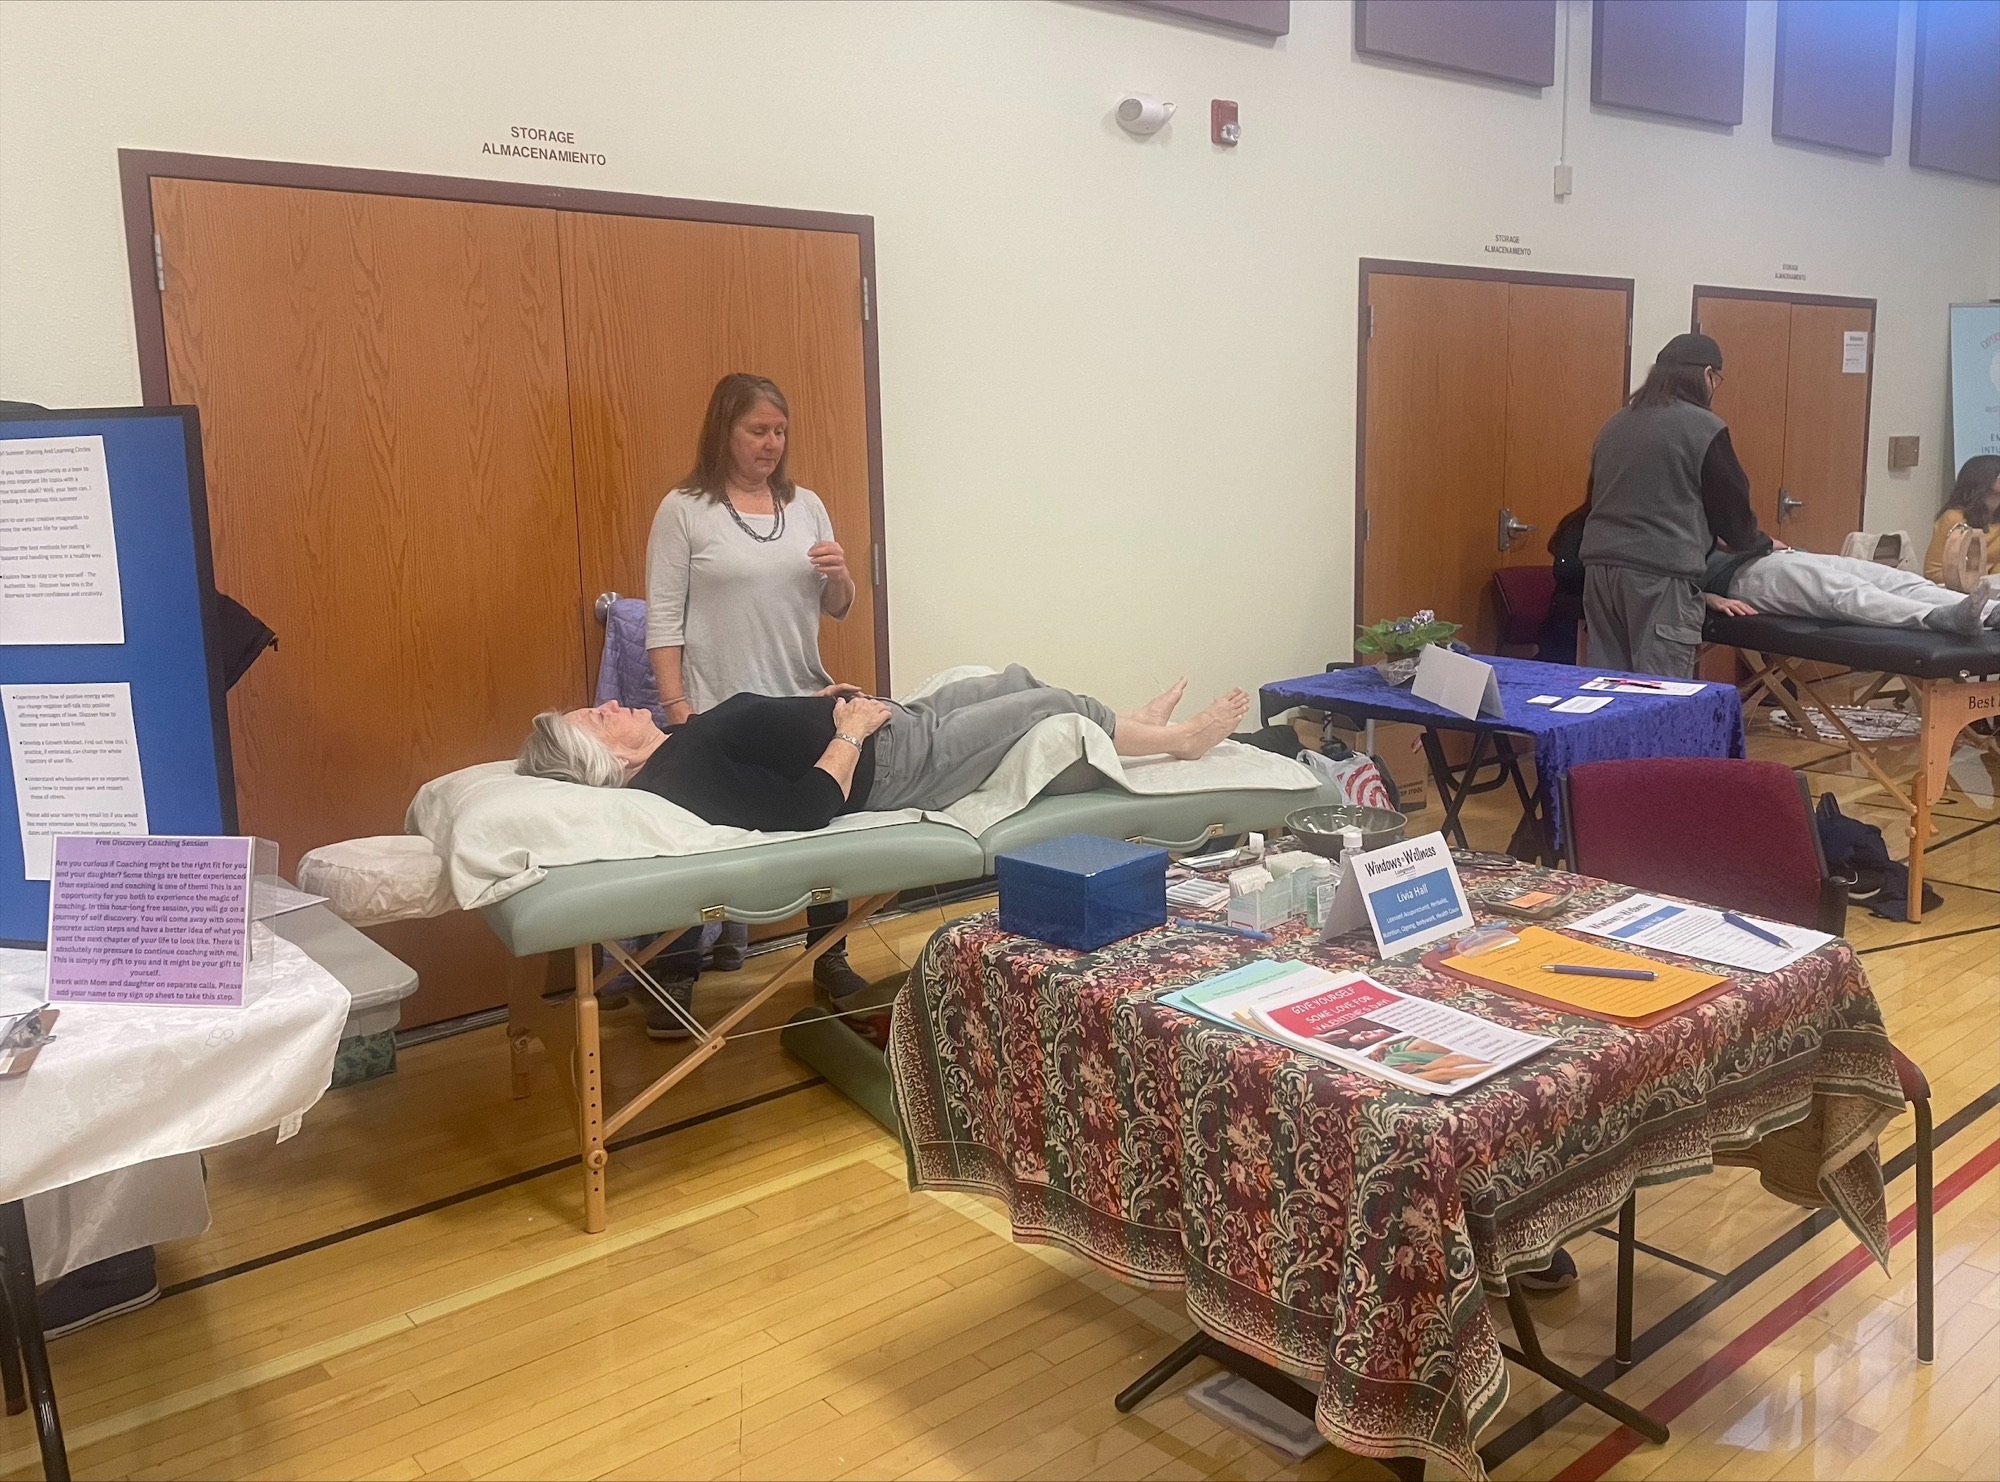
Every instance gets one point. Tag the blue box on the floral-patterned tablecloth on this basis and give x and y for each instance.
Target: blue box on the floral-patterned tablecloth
(1083, 891)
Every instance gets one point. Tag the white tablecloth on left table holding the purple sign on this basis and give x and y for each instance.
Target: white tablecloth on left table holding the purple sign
(129, 1085)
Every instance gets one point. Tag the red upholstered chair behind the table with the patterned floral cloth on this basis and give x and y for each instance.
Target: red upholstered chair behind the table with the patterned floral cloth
(1735, 835)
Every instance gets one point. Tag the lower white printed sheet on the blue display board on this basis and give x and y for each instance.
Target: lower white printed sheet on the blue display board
(75, 759)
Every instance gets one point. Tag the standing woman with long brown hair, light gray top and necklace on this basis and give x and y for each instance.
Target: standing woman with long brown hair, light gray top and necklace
(741, 569)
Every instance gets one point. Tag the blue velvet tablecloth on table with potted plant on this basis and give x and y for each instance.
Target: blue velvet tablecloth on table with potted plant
(1633, 725)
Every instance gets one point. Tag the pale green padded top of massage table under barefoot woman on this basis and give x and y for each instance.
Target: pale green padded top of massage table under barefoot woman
(769, 883)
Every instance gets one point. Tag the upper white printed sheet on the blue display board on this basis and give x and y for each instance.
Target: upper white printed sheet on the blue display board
(59, 561)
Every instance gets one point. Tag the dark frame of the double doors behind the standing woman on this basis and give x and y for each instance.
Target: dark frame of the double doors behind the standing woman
(137, 171)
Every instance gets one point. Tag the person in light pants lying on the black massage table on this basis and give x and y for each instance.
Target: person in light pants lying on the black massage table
(1841, 589)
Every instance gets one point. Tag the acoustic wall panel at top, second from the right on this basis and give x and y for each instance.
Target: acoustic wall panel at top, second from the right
(1837, 75)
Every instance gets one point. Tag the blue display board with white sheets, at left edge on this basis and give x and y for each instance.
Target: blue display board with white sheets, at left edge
(153, 459)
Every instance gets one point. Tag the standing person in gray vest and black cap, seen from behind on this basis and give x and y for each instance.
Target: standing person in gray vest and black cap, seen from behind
(1665, 489)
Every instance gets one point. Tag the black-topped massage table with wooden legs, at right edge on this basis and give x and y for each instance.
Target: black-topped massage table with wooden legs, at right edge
(1953, 679)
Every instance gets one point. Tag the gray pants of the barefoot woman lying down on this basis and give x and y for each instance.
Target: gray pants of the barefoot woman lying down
(939, 749)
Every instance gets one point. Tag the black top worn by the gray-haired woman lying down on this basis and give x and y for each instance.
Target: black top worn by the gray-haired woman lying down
(753, 763)
